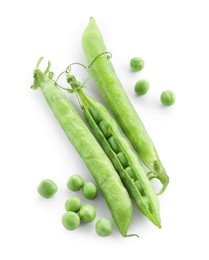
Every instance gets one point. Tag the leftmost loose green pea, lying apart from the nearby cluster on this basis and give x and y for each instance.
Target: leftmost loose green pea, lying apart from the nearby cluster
(47, 188)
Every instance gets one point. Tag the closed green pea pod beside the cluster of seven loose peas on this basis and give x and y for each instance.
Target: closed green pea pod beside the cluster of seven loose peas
(90, 151)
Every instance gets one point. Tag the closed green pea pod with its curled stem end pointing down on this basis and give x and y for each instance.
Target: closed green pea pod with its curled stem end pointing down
(112, 91)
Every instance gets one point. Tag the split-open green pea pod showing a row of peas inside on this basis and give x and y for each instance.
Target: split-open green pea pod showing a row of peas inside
(120, 153)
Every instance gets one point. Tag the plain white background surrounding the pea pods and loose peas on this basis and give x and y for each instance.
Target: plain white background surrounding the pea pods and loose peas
(172, 38)
